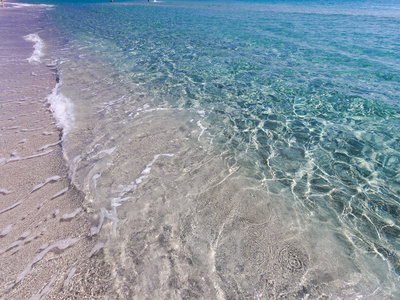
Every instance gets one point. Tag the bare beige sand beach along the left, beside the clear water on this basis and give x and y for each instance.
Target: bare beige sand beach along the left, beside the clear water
(44, 238)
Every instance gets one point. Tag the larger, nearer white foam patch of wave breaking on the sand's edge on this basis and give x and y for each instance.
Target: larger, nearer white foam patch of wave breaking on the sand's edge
(62, 108)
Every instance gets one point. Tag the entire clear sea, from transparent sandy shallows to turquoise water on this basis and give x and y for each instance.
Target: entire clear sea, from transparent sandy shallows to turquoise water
(234, 149)
